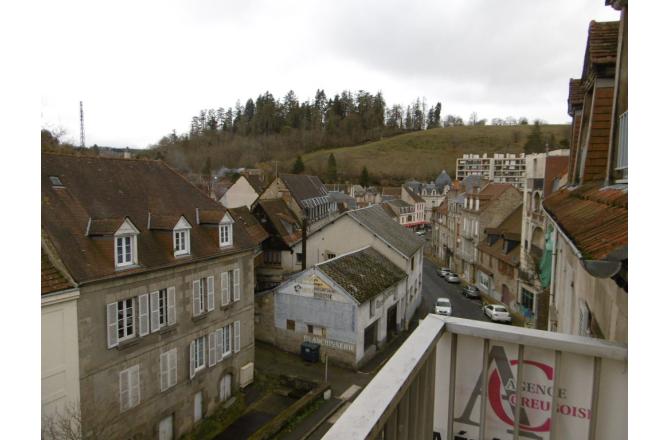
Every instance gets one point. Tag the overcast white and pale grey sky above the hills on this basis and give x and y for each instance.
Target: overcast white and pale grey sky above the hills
(143, 68)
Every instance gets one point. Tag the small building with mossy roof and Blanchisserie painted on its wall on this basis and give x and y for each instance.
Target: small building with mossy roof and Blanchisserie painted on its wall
(348, 304)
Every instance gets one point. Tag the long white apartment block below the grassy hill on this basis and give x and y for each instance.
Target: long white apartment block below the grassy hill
(500, 168)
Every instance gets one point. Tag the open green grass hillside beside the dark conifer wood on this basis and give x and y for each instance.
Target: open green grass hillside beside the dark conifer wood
(423, 154)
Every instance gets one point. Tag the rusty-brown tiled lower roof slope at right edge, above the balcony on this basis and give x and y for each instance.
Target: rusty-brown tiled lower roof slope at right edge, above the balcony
(594, 218)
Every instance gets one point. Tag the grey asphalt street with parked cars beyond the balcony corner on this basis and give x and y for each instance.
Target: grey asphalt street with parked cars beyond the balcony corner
(434, 287)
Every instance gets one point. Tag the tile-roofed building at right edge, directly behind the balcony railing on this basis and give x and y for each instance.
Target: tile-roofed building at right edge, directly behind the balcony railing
(586, 261)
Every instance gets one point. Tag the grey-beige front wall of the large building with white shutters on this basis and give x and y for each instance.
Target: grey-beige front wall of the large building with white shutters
(100, 366)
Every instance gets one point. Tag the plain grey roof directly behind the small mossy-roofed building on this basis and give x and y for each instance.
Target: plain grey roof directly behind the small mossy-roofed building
(376, 220)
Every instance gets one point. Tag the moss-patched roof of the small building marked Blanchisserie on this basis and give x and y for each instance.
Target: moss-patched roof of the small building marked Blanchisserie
(364, 274)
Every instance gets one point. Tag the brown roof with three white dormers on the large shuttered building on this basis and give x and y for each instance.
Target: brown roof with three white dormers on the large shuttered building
(103, 191)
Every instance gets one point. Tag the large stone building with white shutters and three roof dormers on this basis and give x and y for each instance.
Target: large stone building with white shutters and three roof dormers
(165, 277)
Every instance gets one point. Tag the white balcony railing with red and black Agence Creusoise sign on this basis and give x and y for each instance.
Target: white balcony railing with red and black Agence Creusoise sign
(433, 386)
